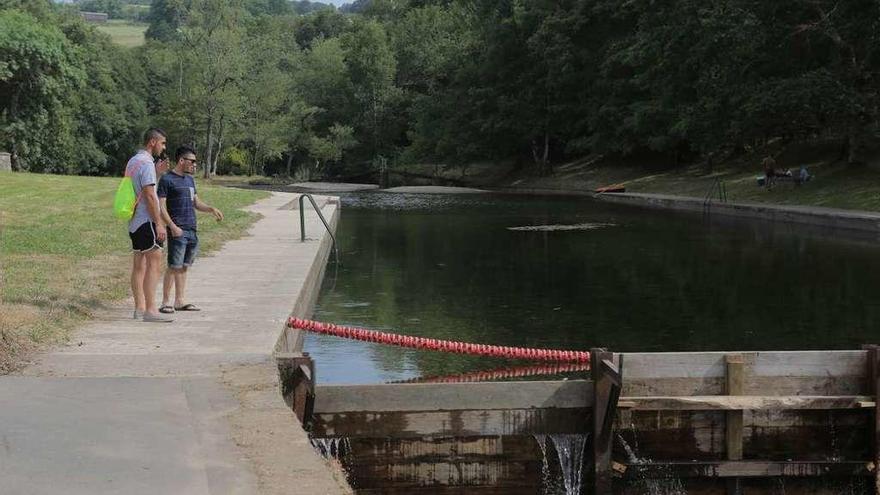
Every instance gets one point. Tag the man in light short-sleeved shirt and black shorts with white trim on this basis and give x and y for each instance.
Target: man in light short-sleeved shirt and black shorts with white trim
(146, 228)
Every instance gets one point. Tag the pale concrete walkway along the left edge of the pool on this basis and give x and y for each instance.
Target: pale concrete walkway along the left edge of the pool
(191, 407)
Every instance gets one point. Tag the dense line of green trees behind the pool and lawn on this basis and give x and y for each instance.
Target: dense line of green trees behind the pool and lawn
(274, 87)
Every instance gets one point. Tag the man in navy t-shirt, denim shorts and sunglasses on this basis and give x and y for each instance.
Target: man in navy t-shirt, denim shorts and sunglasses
(179, 201)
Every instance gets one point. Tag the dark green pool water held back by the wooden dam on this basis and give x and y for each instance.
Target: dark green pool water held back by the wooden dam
(449, 267)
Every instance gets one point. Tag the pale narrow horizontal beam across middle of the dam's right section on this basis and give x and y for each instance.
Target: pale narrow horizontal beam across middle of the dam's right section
(746, 402)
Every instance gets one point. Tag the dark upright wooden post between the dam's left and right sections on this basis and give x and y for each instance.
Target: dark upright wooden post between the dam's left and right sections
(607, 381)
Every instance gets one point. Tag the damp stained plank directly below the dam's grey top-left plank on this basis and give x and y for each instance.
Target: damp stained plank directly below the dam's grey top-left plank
(483, 422)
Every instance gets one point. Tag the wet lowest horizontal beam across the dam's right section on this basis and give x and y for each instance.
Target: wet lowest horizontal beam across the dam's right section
(745, 469)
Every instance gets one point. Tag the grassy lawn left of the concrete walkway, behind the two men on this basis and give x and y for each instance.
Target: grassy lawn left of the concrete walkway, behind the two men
(63, 254)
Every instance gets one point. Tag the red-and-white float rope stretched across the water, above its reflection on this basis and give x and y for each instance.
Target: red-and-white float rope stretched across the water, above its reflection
(440, 345)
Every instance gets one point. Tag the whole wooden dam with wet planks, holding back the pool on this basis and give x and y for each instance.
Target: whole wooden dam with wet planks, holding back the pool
(694, 422)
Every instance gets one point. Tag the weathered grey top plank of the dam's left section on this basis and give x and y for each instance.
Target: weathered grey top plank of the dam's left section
(411, 397)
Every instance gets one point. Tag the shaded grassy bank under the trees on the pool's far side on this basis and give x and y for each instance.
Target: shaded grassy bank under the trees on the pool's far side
(834, 184)
